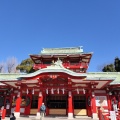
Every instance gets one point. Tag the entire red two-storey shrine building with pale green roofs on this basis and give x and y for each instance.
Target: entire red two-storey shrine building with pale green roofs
(62, 82)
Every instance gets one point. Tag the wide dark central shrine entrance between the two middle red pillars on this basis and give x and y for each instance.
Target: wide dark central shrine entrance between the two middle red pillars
(57, 104)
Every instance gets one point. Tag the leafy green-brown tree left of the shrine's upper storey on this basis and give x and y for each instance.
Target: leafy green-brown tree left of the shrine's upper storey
(26, 66)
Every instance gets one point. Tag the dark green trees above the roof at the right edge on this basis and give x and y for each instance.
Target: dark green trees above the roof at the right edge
(115, 67)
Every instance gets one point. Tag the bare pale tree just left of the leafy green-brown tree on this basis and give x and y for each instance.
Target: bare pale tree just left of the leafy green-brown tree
(11, 65)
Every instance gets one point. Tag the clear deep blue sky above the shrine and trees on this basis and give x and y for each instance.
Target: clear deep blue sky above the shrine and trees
(27, 26)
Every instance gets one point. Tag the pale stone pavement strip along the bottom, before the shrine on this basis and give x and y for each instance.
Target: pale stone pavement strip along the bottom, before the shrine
(51, 118)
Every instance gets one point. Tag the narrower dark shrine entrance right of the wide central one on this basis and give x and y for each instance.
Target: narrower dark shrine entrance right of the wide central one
(80, 105)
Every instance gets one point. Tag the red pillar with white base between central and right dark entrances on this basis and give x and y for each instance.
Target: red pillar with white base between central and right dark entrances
(70, 106)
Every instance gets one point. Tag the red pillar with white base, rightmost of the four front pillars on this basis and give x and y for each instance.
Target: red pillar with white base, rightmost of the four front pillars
(93, 103)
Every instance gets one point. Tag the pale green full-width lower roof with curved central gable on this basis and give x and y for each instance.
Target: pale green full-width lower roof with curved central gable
(102, 78)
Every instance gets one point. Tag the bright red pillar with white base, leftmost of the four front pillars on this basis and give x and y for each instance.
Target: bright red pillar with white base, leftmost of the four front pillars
(17, 107)
